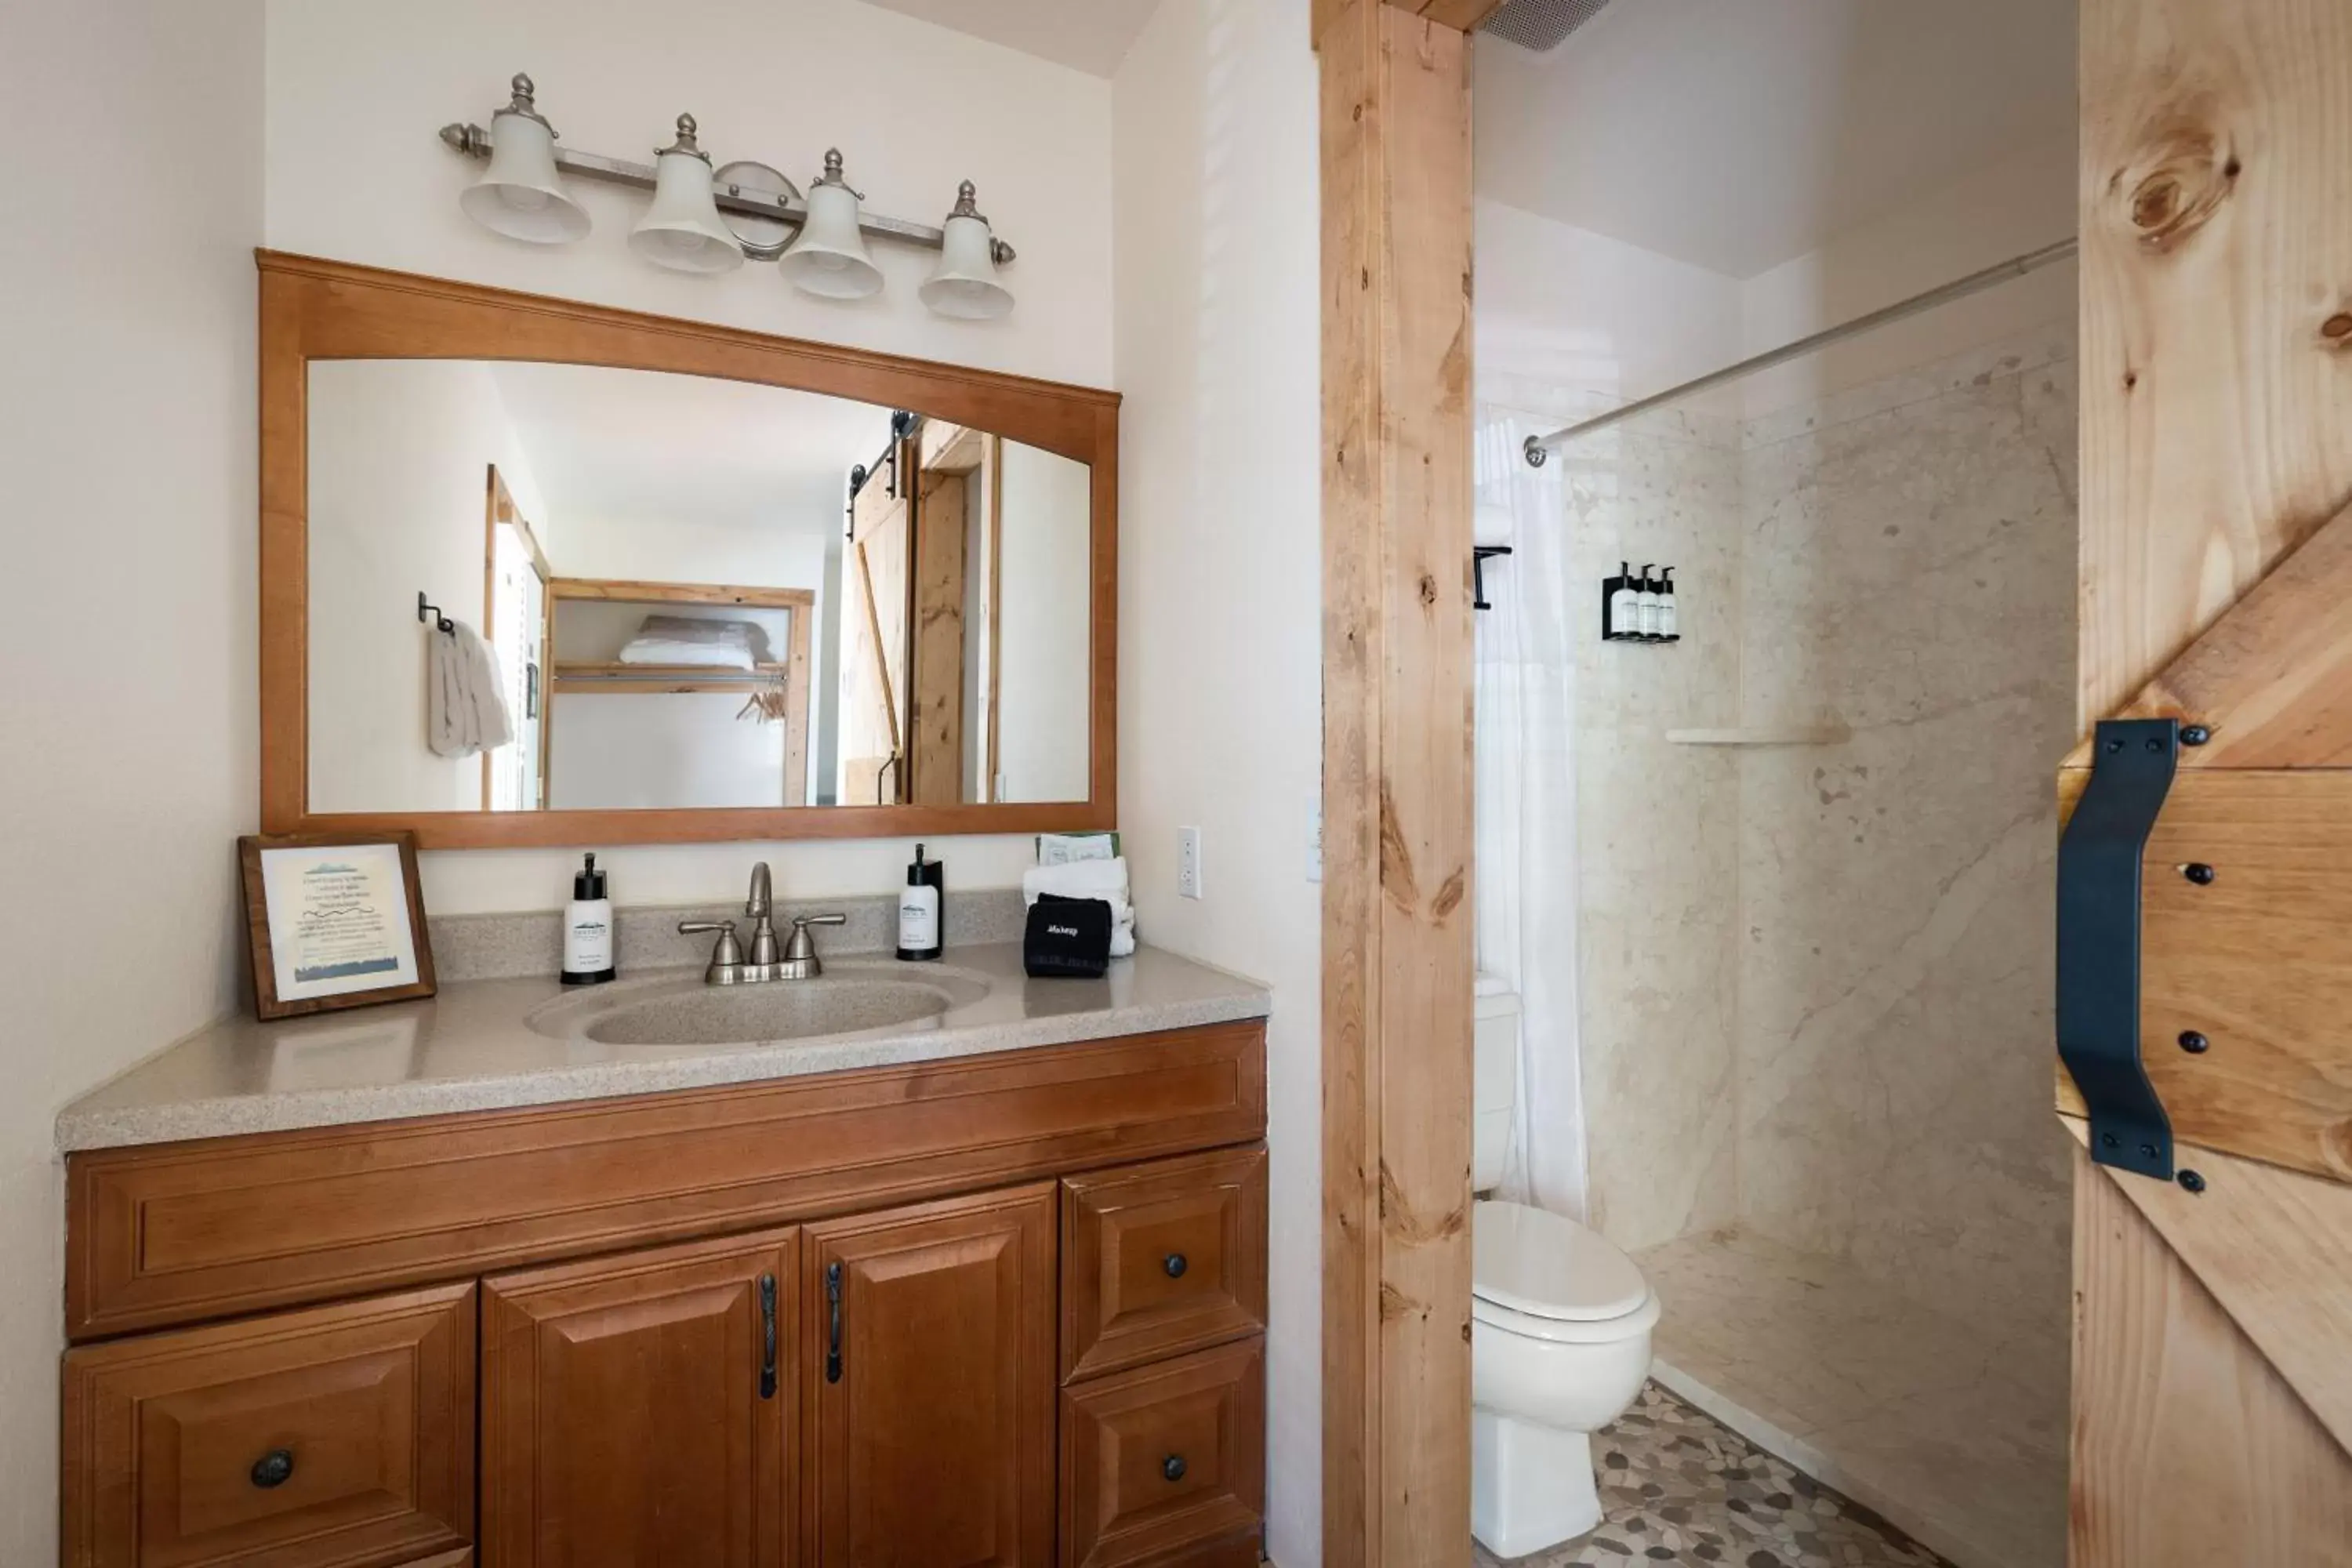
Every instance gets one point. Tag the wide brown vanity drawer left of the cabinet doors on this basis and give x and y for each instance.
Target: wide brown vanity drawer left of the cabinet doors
(338, 1438)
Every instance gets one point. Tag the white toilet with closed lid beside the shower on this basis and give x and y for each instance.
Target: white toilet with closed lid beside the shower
(1561, 1327)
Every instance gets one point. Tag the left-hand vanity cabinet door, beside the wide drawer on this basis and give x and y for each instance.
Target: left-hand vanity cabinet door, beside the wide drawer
(636, 1409)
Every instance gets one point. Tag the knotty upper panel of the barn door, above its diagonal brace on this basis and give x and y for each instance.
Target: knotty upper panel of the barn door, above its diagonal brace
(2217, 314)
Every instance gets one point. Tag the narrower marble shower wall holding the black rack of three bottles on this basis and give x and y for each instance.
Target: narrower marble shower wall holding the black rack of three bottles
(1657, 824)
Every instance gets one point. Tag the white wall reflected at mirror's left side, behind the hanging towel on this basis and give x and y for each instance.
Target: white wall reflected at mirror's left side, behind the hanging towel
(399, 490)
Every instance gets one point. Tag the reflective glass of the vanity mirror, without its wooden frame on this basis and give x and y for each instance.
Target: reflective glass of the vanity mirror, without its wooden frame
(676, 591)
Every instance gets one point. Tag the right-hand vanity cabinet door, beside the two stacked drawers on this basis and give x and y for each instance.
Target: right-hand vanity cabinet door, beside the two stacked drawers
(930, 1369)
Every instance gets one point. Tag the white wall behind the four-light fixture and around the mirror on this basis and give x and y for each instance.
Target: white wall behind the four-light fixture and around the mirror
(359, 91)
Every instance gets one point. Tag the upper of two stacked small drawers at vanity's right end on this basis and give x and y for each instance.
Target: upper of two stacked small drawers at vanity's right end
(1161, 1259)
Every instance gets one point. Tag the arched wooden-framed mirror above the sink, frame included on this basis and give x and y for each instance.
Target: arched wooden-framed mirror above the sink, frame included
(544, 575)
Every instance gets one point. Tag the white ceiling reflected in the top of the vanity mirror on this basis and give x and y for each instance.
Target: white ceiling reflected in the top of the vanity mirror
(662, 450)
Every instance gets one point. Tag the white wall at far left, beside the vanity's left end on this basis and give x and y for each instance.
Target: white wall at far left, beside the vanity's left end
(128, 502)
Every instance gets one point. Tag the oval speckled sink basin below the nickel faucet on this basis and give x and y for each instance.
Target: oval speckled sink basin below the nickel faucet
(777, 1010)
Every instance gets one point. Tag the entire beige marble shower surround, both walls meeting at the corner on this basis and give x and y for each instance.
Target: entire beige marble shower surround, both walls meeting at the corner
(1817, 981)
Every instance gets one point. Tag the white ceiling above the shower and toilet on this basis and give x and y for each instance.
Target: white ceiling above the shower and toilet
(1739, 135)
